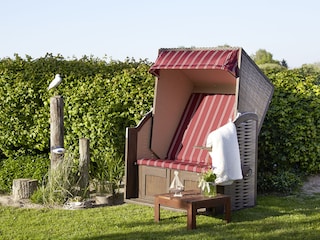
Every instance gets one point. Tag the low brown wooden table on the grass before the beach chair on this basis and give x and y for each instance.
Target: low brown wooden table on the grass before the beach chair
(192, 201)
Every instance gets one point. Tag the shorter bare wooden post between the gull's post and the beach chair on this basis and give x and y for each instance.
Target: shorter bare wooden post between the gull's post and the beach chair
(84, 163)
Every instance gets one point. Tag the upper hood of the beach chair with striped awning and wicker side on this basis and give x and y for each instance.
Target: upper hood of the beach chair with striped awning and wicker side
(228, 70)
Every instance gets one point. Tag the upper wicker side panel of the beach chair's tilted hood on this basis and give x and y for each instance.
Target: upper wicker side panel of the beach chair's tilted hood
(255, 89)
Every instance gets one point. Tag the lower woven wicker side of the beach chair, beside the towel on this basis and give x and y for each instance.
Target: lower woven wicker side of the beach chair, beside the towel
(243, 192)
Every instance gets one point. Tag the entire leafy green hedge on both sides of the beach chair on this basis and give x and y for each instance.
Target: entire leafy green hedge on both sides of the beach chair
(102, 98)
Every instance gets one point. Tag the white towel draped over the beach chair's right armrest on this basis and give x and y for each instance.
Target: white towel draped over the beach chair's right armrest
(226, 163)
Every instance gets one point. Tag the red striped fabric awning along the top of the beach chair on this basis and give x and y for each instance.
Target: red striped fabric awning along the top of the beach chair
(223, 59)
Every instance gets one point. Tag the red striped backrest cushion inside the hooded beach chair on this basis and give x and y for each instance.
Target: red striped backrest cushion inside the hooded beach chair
(203, 114)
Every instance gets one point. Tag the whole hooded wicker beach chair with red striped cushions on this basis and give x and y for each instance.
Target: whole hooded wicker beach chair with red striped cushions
(197, 91)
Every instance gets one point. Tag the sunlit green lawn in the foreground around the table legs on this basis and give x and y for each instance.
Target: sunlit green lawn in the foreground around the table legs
(290, 217)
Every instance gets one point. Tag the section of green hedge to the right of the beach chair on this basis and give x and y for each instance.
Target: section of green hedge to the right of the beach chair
(289, 142)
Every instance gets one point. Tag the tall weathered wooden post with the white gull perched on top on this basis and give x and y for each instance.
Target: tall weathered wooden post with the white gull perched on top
(56, 128)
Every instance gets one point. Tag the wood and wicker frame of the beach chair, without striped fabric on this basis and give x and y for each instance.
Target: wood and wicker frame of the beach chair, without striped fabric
(253, 93)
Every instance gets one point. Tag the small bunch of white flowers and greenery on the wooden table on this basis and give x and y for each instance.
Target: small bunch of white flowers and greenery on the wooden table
(207, 184)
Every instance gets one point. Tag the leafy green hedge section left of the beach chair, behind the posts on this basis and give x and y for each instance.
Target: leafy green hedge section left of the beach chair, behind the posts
(101, 99)
